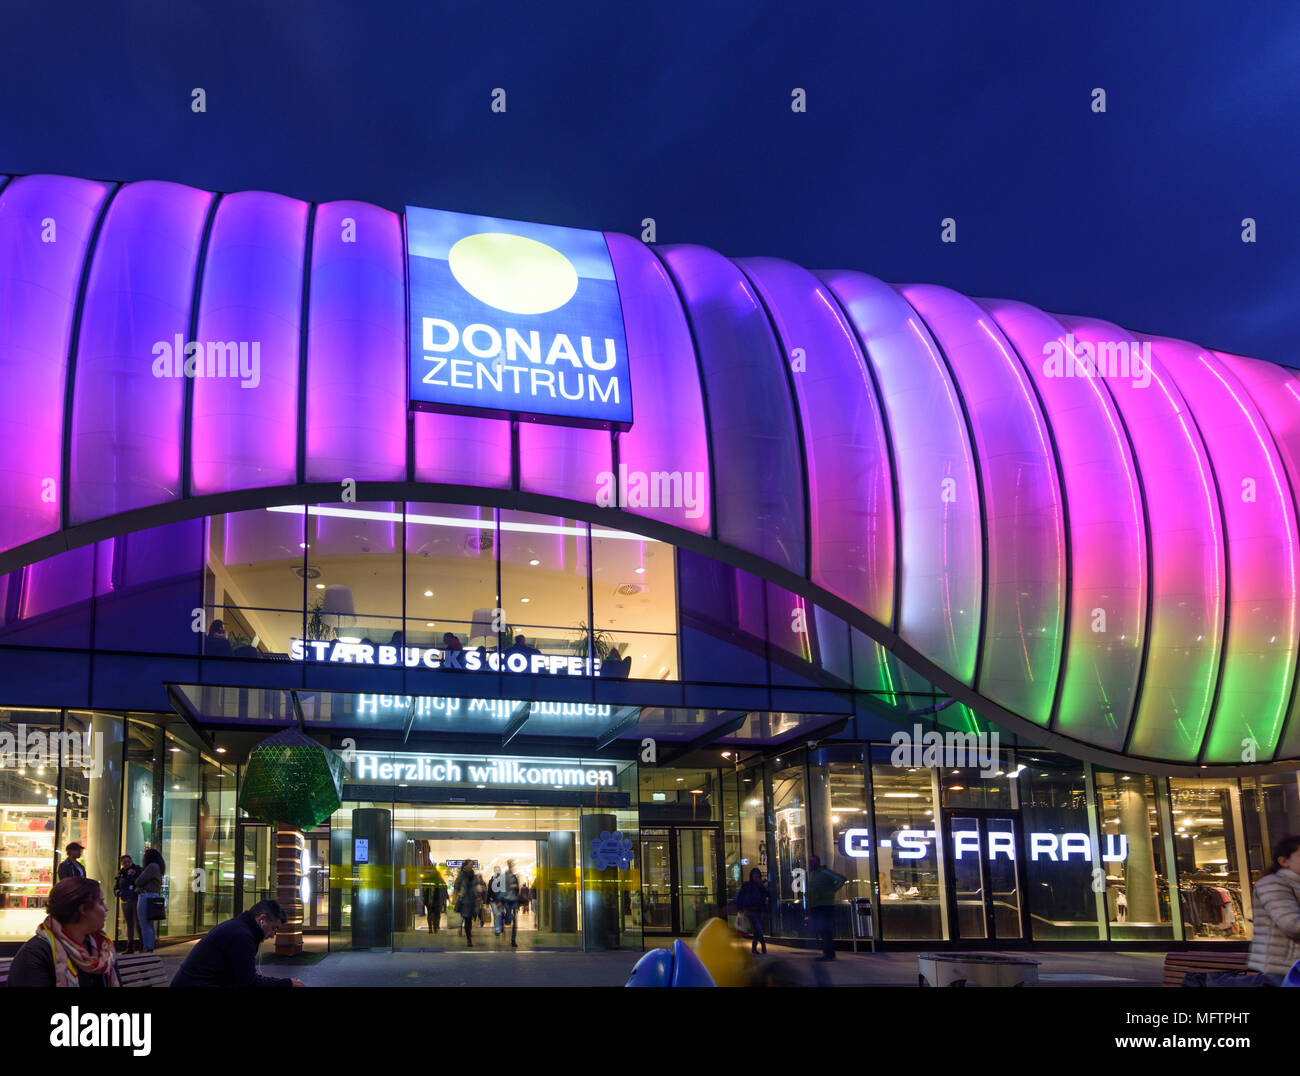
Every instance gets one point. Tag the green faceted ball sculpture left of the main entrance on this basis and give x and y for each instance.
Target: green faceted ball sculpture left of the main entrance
(292, 780)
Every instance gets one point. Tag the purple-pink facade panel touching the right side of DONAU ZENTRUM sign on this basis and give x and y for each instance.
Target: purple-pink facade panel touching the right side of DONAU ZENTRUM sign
(669, 433)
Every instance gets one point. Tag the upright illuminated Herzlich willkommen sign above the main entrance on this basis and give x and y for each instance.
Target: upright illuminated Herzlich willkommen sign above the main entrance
(444, 770)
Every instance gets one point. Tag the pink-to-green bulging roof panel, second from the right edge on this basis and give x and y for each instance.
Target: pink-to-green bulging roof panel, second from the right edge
(1259, 663)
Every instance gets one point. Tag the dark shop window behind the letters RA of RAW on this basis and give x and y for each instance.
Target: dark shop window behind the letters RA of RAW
(1055, 806)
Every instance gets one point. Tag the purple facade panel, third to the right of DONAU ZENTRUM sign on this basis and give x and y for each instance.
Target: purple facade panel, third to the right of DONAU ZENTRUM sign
(850, 478)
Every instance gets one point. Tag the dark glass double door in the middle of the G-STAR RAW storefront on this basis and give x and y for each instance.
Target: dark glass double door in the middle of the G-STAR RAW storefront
(985, 856)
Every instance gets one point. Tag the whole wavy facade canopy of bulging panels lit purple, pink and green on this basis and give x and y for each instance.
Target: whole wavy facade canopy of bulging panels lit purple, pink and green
(1087, 535)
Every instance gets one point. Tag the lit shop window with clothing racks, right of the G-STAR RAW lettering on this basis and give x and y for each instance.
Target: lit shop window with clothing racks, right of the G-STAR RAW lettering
(1208, 858)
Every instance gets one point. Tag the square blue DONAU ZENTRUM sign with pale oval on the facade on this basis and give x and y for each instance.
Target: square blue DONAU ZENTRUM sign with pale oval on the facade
(514, 319)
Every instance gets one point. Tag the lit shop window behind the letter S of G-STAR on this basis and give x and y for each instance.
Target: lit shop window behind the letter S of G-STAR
(907, 851)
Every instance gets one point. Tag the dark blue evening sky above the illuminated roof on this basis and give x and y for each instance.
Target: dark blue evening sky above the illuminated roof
(682, 112)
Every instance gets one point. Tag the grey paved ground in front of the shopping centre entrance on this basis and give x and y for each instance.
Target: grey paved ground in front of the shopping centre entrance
(491, 966)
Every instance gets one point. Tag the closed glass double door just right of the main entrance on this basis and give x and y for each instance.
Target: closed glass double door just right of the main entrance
(682, 884)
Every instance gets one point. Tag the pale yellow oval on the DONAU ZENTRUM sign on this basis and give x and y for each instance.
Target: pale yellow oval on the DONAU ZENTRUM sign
(513, 274)
